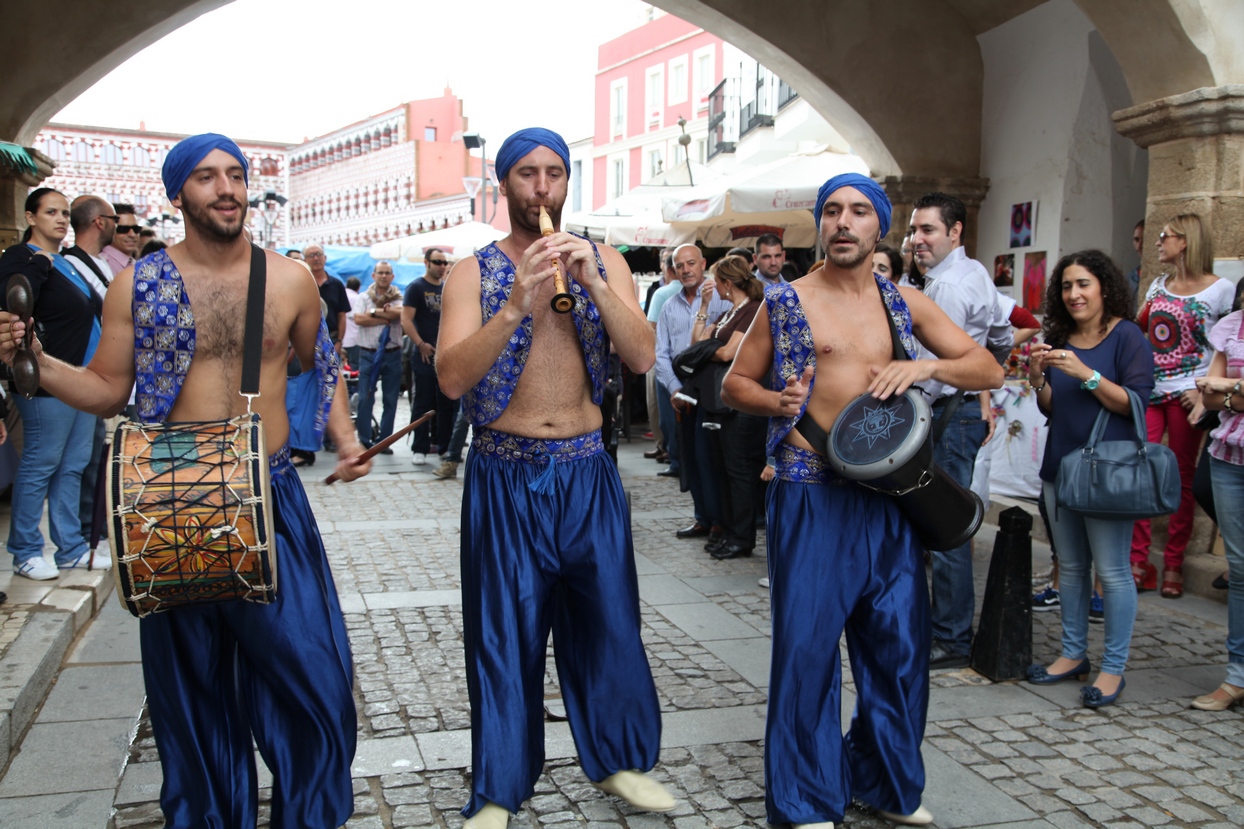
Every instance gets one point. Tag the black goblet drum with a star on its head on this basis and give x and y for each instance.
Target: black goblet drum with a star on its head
(886, 445)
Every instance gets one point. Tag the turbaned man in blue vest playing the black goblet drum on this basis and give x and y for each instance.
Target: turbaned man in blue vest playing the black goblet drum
(843, 557)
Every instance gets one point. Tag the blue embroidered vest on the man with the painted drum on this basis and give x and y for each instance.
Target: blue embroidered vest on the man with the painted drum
(165, 348)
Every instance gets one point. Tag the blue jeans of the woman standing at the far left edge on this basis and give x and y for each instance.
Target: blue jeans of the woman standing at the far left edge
(58, 447)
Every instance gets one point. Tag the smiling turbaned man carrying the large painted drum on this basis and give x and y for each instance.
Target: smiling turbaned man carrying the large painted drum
(220, 674)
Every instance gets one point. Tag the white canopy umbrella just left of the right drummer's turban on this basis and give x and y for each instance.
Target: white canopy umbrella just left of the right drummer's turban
(772, 199)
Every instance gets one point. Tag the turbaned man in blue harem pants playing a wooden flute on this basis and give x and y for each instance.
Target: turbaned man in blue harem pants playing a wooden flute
(545, 527)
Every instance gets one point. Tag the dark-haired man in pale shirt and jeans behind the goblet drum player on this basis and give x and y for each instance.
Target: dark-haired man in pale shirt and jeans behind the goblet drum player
(962, 288)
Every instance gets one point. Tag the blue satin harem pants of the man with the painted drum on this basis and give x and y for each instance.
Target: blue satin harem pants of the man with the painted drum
(222, 673)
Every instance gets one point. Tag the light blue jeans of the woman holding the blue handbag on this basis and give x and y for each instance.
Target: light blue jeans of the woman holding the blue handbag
(1084, 545)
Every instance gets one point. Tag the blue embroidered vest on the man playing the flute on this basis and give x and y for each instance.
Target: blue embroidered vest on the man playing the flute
(488, 400)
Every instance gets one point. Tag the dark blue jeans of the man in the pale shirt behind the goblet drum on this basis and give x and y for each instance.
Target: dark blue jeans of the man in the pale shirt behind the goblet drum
(955, 597)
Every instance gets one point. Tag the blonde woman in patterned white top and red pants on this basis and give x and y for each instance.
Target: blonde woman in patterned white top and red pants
(1180, 311)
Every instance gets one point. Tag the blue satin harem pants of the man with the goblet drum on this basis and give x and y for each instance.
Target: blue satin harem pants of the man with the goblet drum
(843, 558)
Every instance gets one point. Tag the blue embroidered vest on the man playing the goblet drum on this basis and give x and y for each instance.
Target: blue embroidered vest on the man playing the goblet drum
(794, 349)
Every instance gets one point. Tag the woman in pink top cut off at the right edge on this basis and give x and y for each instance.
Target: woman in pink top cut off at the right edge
(1223, 390)
